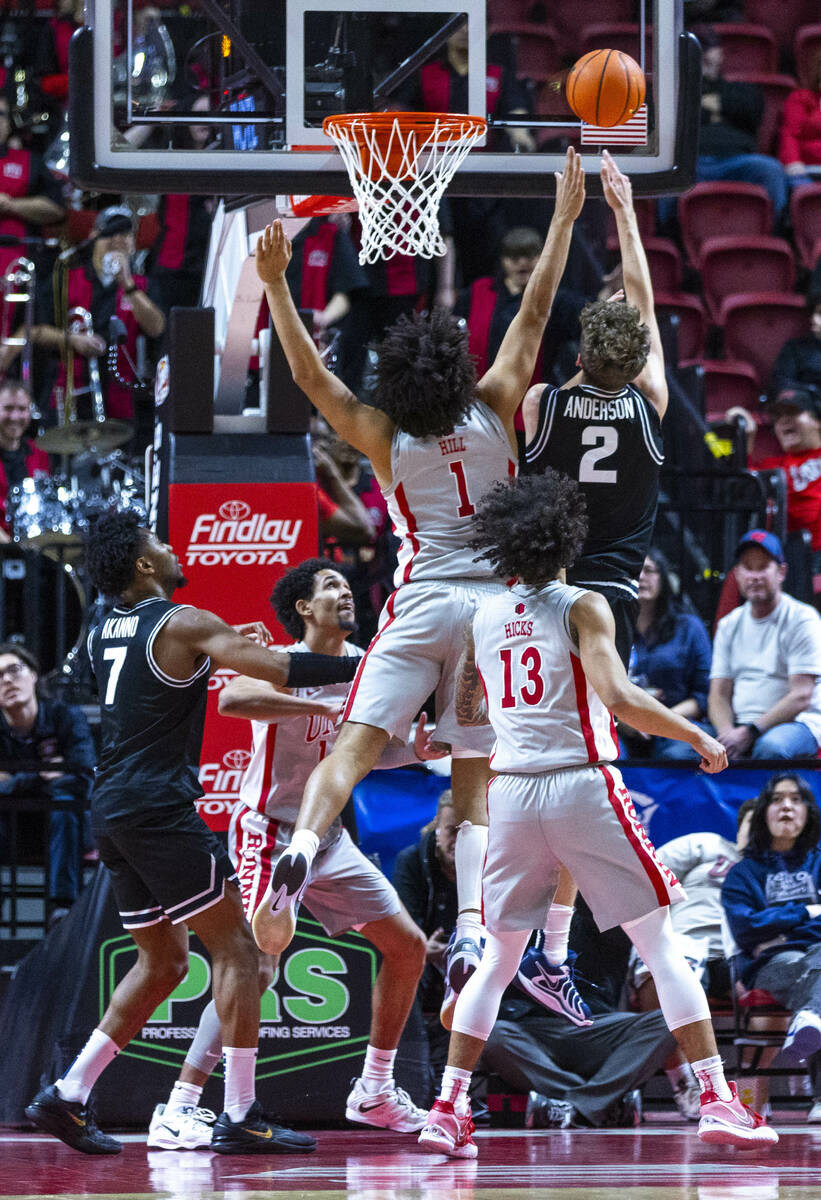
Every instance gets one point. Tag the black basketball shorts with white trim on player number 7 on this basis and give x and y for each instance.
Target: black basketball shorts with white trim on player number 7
(166, 866)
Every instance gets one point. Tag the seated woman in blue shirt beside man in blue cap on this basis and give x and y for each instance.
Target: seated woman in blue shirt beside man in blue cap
(670, 658)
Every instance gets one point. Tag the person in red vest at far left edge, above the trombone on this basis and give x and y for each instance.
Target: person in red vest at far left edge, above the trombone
(31, 196)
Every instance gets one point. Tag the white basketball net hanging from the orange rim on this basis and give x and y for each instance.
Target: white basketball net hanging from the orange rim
(400, 165)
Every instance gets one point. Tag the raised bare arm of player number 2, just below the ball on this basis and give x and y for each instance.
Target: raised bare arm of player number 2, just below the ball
(638, 286)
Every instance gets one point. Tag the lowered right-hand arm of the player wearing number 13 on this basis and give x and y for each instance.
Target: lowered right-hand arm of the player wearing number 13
(594, 622)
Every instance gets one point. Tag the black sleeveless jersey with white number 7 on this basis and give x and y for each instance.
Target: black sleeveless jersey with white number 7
(152, 725)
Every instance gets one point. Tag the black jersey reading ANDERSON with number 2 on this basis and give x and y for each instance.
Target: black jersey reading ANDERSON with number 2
(610, 442)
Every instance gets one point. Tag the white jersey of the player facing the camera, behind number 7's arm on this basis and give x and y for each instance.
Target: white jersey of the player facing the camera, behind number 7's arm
(286, 752)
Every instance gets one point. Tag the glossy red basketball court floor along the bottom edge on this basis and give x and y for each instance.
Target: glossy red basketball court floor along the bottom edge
(660, 1162)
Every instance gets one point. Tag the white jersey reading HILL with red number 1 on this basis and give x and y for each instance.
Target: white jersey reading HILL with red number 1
(436, 489)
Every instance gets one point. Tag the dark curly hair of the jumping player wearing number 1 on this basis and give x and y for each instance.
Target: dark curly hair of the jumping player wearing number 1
(426, 379)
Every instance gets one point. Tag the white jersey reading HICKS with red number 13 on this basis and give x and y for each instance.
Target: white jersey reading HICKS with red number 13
(544, 712)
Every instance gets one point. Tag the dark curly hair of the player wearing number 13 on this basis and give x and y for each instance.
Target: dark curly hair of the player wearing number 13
(531, 529)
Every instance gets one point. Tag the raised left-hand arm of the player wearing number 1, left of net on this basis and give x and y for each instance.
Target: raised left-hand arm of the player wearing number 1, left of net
(367, 429)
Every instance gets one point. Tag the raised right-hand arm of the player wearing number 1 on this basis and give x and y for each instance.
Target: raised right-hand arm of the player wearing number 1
(505, 385)
